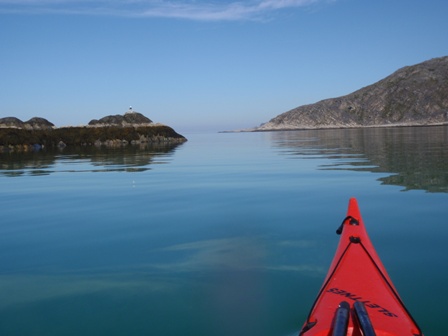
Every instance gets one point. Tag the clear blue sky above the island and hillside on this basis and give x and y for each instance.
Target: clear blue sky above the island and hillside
(203, 65)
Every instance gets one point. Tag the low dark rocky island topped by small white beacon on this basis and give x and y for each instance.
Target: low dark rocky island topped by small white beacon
(132, 128)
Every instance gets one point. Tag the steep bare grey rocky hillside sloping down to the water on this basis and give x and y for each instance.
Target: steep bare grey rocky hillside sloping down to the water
(413, 95)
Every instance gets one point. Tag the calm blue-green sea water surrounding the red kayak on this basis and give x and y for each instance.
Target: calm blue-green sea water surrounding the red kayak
(227, 234)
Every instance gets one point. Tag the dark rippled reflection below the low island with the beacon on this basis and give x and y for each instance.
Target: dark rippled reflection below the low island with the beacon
(85, 159)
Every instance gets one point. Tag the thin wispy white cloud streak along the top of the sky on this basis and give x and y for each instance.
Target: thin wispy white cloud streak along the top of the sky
(185, 9)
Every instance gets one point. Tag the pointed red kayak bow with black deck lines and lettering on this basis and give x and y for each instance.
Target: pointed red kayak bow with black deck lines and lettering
(358, 297)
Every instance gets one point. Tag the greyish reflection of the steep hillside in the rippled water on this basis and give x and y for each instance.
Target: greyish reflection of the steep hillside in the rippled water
(413, 157)
